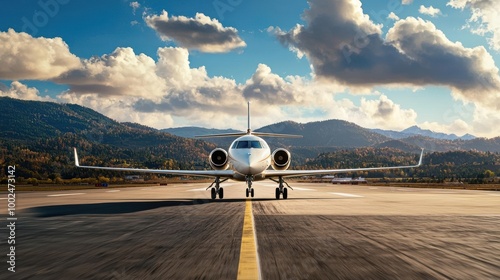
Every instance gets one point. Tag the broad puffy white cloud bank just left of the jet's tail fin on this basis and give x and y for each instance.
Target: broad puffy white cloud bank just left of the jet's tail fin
(130, 87)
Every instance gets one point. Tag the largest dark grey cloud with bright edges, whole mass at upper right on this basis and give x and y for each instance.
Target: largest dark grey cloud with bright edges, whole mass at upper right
(345, 46)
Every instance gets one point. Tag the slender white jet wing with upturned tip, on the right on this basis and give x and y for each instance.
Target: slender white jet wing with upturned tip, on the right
(296, 173)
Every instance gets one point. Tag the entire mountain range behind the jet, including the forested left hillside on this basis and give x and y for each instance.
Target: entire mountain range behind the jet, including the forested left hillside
(38, 137)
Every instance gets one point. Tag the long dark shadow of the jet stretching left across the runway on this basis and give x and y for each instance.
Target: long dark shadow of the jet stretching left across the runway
(125, 206)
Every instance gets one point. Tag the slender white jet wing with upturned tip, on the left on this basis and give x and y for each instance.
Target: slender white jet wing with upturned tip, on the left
(201, 173)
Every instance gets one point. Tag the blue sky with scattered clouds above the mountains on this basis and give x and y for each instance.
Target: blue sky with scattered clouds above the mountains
(389, 64)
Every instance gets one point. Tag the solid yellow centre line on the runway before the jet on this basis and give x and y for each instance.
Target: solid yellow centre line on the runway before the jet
(248, 267)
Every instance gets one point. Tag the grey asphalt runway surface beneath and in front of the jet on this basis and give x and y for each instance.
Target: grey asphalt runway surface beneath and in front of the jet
(321, 231)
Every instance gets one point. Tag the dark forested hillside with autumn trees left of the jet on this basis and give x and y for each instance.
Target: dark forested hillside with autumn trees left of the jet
(38, 138)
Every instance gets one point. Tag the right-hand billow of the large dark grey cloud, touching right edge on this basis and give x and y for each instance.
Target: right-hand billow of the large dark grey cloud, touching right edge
(471, 73)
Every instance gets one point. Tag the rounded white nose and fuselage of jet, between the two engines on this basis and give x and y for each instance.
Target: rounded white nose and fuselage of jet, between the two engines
(249, 155)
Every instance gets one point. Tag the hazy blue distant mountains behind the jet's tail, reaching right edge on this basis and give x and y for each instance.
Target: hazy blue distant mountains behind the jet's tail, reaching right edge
(343, 134)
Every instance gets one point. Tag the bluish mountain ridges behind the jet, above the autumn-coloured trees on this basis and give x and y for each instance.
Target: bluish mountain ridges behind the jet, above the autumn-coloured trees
(26, 121)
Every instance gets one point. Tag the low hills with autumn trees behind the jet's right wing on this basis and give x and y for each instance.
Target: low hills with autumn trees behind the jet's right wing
(456, 165)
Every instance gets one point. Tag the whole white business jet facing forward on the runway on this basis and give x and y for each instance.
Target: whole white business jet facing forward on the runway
(248, 159)
